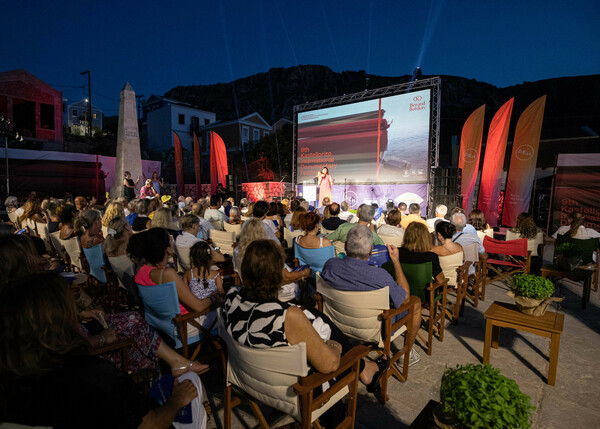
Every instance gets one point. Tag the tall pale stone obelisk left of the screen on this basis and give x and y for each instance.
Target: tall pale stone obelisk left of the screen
(129, 157)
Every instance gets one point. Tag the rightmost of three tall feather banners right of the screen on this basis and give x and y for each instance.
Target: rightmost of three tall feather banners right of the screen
(523, 161)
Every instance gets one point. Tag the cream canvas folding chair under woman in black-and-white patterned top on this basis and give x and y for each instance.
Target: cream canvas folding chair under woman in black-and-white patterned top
(278, 377)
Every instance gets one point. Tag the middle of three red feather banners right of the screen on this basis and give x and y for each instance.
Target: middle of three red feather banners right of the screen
(493, 162)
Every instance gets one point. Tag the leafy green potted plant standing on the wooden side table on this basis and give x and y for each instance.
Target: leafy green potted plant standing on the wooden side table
(532, 293)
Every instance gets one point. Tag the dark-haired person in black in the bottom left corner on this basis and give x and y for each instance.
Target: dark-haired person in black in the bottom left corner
(42, 348)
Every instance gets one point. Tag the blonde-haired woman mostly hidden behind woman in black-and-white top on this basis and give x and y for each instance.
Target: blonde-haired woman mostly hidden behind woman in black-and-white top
(254, 230)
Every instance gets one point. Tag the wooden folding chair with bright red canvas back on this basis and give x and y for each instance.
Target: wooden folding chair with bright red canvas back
(515, 257)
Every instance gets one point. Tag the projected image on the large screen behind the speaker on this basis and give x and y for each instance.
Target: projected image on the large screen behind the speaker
(376, 141)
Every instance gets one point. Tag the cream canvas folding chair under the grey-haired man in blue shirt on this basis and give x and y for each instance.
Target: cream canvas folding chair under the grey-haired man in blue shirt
(366, 316)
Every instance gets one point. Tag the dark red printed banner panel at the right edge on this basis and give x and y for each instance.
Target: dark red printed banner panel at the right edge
(577, 189)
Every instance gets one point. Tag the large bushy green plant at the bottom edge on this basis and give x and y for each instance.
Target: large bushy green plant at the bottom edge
(478, 396)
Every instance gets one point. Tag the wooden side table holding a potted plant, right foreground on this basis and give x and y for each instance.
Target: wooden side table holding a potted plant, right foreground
(504, 315)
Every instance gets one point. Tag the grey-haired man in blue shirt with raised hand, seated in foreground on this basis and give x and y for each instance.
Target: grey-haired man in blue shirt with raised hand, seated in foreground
(353, 273)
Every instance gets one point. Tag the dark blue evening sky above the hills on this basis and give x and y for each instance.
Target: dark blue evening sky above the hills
(156, 45)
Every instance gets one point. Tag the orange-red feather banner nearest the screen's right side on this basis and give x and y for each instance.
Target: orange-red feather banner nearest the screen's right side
(470, 149)
